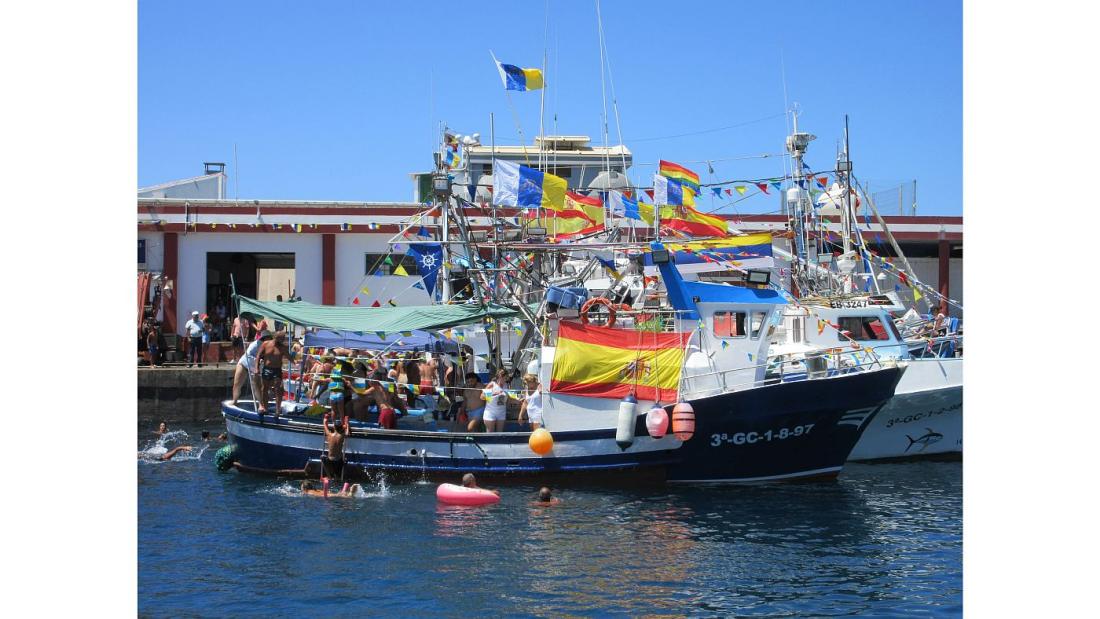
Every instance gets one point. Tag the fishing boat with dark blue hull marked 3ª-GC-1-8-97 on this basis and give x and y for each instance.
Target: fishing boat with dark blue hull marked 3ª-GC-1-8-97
(746, 429)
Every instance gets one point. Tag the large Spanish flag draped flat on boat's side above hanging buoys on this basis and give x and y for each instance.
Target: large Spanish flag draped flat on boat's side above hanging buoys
(599, 362)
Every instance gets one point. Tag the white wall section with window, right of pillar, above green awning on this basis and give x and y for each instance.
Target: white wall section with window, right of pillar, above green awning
(351, 268)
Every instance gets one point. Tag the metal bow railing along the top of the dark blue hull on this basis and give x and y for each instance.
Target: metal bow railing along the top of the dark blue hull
(838, 362)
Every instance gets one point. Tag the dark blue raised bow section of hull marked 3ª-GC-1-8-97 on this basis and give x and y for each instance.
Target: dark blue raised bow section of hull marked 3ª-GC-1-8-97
(789, 430)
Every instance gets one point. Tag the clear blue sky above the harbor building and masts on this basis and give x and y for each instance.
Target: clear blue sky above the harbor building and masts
(343, 101)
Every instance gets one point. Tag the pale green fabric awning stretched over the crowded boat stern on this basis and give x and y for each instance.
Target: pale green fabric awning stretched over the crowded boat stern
(390, 320)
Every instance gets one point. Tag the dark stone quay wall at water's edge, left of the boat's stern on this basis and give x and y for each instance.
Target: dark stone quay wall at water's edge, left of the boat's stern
(183, 395)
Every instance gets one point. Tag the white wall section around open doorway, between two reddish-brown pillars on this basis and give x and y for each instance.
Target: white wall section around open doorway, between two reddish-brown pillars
(193, 271)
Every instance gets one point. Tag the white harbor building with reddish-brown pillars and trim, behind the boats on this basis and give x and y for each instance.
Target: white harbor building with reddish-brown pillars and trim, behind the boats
(199, 244)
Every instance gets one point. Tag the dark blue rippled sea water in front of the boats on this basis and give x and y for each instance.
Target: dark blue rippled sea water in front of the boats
(883, 540)
